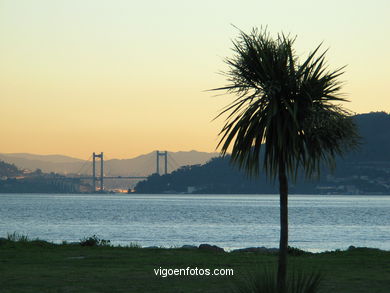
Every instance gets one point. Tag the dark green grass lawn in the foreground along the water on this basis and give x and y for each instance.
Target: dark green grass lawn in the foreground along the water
(39, 266)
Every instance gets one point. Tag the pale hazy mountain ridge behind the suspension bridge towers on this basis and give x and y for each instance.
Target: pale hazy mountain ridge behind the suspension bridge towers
(143, 165)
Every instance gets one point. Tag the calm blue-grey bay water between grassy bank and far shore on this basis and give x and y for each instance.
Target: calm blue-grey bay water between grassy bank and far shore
(317, 223)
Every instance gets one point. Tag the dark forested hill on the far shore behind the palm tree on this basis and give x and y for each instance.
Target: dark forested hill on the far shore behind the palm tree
(366, 171)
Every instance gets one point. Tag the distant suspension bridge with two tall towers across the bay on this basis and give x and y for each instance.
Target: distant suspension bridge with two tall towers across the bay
(99, 174)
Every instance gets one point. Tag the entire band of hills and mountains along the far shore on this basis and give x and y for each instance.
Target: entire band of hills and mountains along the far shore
(365, 171)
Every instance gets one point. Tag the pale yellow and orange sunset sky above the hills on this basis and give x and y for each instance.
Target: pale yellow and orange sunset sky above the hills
(130, 77)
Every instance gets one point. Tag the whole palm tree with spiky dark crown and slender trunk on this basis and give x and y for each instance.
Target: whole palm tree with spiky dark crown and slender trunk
(284, 117)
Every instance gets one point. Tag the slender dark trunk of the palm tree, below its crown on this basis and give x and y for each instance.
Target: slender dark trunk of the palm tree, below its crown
(282, 264)
